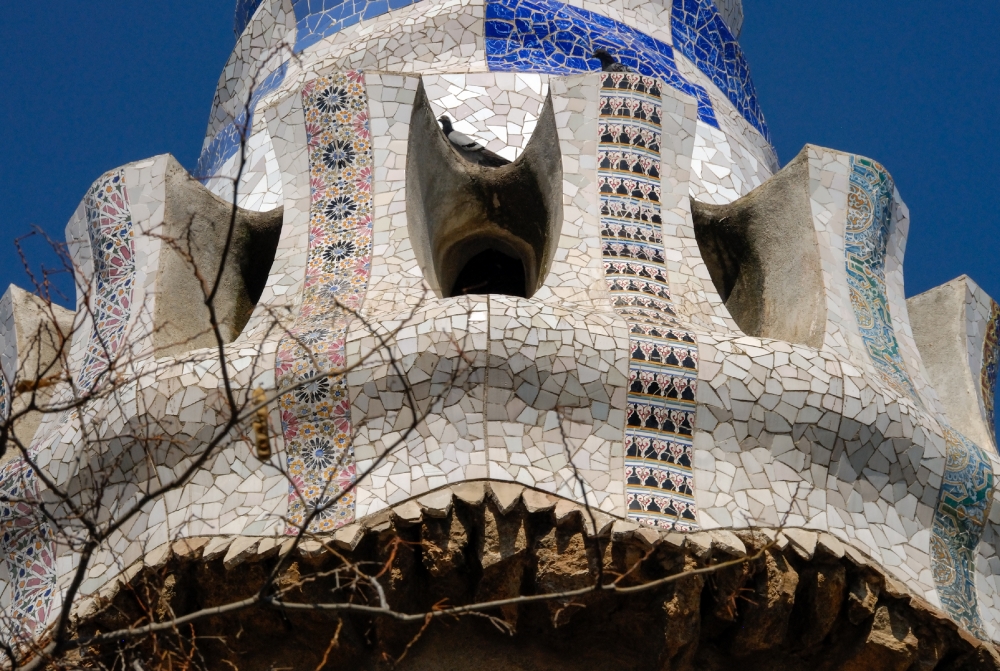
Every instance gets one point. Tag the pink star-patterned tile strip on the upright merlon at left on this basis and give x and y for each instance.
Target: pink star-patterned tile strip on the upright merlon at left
(109, 222)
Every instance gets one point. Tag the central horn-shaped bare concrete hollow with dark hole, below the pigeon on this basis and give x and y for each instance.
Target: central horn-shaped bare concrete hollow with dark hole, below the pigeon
(480, 229)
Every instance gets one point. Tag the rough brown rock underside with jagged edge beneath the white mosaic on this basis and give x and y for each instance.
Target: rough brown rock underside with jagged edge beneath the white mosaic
(801, 600)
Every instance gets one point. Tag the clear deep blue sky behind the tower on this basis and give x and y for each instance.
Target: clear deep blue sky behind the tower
(97, 84)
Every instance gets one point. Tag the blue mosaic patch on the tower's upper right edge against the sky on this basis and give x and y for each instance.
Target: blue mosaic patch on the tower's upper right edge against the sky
(702, 35)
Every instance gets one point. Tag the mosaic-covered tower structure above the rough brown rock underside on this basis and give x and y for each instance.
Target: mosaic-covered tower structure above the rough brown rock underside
(701, 343)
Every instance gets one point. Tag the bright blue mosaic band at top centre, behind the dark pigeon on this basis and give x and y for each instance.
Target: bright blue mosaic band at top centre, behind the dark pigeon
(555, 38)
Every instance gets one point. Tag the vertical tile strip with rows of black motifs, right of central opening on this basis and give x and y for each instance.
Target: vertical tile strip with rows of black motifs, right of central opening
(663, 370)
